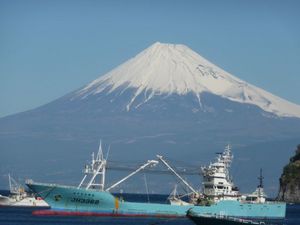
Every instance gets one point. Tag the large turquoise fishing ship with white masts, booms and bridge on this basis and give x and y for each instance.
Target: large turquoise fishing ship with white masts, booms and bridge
(93, 198)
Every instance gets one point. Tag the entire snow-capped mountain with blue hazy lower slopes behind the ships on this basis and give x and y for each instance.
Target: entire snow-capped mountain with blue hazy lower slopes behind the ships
(166, 100)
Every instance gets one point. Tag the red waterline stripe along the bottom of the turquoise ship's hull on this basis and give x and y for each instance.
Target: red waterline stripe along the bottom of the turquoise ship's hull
(73, 213)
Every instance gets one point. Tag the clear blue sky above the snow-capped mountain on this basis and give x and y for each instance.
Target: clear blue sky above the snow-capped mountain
(50, 48)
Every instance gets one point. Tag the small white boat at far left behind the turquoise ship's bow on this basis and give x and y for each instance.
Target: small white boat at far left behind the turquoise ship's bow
(19, 197)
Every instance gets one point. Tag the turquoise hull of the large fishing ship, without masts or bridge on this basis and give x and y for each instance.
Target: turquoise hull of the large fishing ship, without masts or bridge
(79, 201)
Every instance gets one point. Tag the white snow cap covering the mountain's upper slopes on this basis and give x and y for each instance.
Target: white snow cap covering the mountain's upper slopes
(169, 69)
